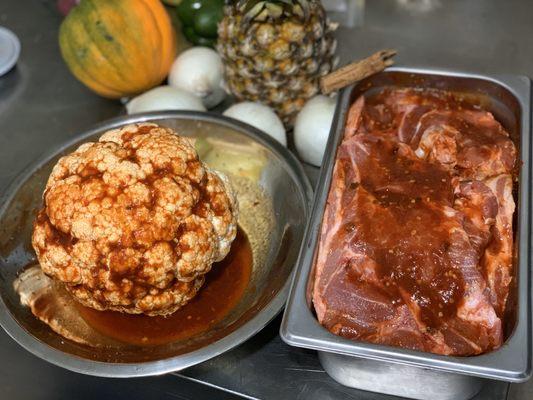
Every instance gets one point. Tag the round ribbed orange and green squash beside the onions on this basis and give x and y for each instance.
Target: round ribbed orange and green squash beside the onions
(118, 47)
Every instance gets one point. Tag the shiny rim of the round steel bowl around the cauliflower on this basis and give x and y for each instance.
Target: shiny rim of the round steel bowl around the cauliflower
(176, 363)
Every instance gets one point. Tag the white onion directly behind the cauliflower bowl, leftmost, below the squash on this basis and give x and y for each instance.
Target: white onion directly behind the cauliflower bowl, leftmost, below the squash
(164, 98)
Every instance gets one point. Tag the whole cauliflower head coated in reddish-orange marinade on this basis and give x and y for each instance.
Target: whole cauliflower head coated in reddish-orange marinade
(133, 222)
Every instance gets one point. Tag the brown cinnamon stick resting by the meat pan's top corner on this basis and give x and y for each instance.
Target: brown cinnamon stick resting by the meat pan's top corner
(356, 71)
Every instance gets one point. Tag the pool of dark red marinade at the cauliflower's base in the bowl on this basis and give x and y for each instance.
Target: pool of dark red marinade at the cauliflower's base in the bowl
(224, 287)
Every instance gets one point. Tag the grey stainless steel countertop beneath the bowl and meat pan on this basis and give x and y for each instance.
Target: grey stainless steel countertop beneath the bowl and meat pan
(41, 105)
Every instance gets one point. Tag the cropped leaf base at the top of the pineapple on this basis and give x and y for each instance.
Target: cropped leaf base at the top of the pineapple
(263, 10)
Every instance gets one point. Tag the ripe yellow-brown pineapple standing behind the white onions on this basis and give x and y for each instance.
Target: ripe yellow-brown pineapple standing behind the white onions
(275, 51)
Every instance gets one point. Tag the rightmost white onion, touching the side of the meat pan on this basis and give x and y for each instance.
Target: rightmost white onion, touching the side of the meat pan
(312, 126)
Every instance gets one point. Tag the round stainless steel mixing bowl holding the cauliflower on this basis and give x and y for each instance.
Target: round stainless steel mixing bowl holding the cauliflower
(272, 169)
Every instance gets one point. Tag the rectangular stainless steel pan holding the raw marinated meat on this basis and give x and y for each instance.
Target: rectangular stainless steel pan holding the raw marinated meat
(508, 98)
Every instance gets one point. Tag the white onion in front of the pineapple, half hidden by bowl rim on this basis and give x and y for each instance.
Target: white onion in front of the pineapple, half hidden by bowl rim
(260, 117)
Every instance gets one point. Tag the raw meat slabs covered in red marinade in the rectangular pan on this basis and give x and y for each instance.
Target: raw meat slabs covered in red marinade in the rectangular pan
(416, 242)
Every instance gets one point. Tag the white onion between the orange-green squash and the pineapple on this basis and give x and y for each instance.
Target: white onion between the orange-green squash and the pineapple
(200, 71)
